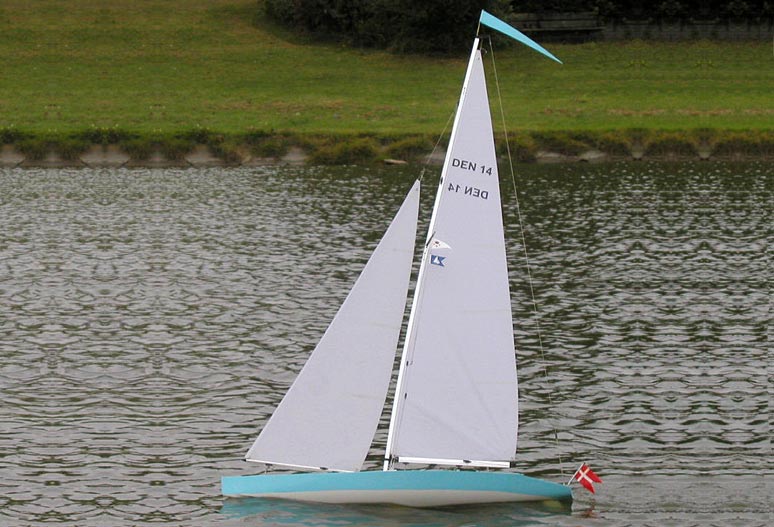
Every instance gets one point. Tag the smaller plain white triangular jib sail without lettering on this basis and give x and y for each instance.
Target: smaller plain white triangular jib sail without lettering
(328, 417)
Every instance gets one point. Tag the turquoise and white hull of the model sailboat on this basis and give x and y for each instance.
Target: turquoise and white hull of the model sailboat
(413, 488)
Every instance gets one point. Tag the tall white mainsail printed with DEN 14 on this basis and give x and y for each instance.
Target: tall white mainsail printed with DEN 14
(456, 399)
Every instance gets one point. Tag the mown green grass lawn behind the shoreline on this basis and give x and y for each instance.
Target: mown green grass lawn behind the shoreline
(163, 67)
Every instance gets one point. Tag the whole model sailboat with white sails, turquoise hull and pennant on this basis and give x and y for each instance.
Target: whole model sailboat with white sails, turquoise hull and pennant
(456, 401)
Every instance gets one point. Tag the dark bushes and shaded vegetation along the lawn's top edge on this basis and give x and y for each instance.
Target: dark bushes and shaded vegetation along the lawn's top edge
(444, 25)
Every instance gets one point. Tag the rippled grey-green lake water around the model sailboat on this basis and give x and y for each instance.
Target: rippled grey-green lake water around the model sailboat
(151, 319)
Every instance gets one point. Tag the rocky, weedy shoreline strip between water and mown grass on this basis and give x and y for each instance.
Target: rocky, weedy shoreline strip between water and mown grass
(202, 149)
